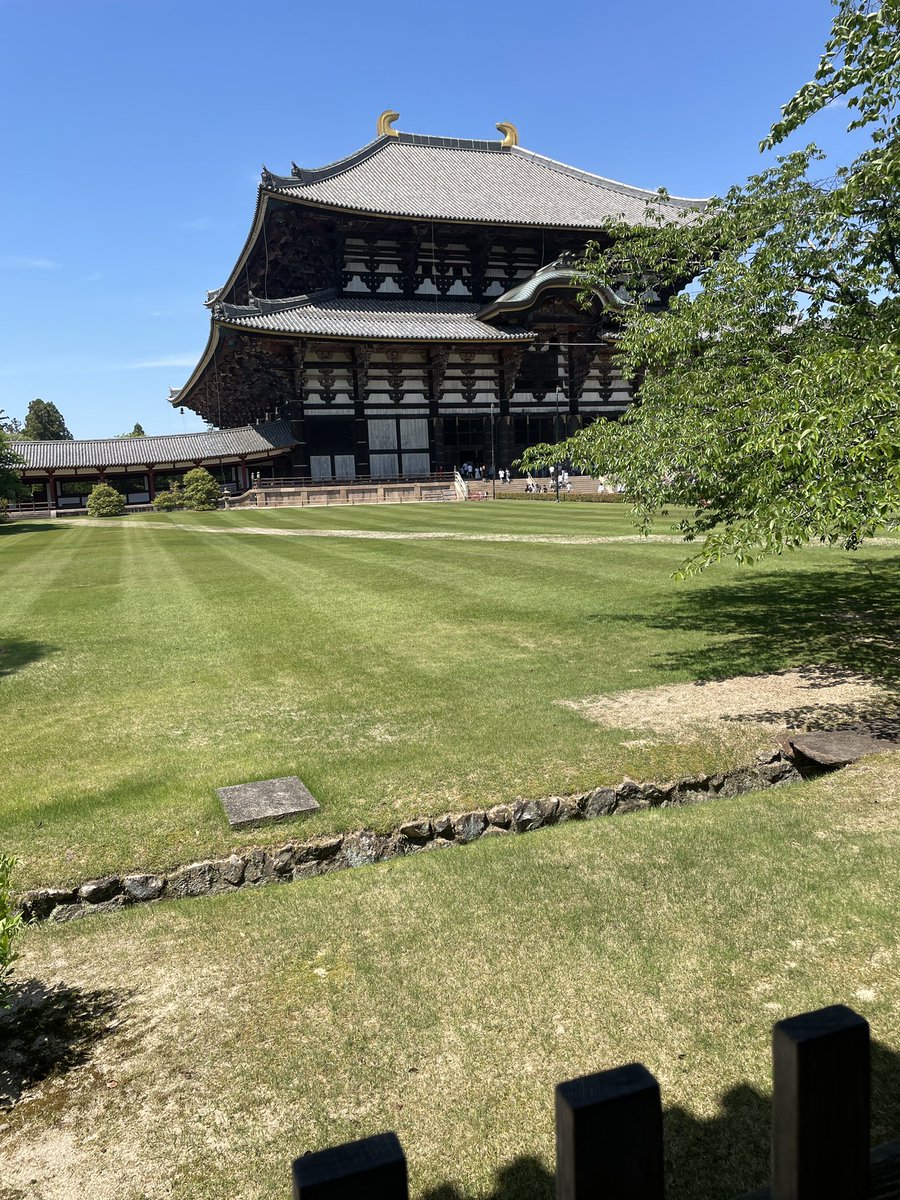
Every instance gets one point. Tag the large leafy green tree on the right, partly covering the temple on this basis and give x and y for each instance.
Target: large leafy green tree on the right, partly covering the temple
(769, 398)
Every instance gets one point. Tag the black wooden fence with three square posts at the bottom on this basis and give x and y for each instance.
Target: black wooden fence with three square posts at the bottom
(609, 1129)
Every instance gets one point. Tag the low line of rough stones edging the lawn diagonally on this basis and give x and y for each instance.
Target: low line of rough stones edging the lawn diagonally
(323, 854)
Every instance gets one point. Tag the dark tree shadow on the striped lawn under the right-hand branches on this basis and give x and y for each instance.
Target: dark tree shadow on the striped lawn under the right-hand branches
(848, 616)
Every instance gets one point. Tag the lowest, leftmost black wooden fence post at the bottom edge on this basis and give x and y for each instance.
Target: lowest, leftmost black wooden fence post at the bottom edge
(371, 1169)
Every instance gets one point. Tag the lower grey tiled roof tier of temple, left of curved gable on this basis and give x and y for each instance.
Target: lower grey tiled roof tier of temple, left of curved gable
(329, 316)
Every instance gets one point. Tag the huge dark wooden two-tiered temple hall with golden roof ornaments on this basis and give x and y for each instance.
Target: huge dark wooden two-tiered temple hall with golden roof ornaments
(415, 307)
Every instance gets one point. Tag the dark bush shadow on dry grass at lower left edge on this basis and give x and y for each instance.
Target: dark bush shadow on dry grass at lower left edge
(51, 1030)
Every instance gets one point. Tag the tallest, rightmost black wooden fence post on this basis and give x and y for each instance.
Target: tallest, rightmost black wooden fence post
(820, 1107)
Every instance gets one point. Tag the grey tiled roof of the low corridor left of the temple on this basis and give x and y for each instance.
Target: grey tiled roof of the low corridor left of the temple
(178, 448)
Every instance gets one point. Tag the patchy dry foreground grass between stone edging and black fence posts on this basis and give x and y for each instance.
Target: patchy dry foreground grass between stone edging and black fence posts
(193, 1049)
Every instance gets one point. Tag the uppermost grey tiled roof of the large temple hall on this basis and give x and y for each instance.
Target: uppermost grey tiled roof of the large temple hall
(453, 179)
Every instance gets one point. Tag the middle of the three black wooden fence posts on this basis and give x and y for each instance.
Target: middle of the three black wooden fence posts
(610, 1137)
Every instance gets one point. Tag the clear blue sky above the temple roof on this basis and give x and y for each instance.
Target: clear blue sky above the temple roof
(135, 133)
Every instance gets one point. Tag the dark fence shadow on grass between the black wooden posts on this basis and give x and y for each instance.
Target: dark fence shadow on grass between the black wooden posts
(715, 1160)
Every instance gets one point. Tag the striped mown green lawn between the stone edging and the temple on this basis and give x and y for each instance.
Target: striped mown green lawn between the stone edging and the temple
(145, 665)
